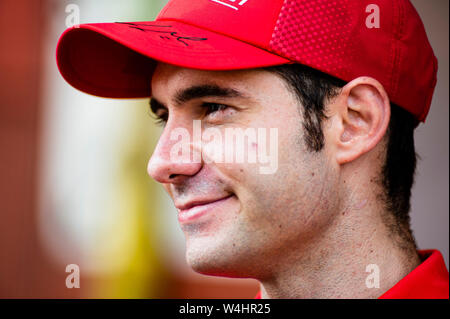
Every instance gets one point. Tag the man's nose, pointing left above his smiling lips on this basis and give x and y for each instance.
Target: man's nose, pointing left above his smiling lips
(166, 164)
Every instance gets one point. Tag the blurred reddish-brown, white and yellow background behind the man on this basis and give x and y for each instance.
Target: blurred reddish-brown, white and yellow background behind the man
(73, 182)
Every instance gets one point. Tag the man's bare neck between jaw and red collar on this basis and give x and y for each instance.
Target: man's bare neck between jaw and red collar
(356, 257)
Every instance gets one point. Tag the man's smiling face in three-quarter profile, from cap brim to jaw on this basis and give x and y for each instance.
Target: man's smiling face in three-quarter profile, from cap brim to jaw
(238, 221)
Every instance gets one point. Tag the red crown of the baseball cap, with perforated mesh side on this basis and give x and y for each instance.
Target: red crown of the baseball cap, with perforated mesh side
(341, 38)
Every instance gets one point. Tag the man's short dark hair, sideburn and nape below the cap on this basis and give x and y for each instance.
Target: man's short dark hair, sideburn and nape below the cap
(313, 89)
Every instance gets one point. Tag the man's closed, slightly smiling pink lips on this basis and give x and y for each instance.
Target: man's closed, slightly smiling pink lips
(195, 208)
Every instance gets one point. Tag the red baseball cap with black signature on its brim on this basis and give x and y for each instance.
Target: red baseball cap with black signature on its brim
(384, 39)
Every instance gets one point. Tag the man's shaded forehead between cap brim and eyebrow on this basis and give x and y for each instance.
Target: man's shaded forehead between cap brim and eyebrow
(168, 79)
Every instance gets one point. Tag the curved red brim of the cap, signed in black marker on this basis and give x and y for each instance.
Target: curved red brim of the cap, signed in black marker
(118, 59)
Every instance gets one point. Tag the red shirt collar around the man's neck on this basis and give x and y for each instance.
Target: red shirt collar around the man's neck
(428, 281)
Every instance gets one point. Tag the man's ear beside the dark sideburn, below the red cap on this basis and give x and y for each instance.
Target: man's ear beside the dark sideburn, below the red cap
(361, 114)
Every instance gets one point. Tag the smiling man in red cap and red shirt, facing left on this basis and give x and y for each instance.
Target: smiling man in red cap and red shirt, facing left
(322, 97)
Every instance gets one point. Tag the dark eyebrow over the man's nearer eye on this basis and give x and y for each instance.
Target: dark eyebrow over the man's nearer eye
(208, 90)
